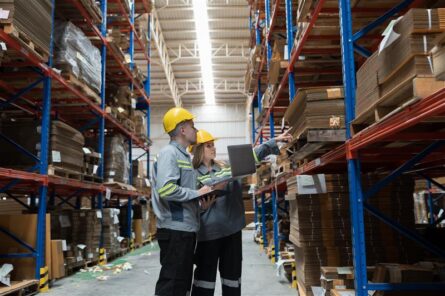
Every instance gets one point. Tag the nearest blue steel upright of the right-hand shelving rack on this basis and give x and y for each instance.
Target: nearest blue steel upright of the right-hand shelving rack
(355, 190)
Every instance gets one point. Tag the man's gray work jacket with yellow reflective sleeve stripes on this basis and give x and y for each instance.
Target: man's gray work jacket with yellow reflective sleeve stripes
(174, 194)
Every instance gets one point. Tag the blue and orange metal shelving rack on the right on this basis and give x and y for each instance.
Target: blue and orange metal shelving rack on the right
(359, 151)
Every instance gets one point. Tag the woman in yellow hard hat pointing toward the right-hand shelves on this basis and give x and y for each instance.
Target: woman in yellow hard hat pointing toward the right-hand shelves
(219, 237)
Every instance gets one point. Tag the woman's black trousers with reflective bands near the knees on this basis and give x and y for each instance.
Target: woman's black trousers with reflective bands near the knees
(227, 252)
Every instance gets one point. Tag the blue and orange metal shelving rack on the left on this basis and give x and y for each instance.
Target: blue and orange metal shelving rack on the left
(38, 185)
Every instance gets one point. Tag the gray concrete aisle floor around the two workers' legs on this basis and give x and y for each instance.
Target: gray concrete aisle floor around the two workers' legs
(259, 276)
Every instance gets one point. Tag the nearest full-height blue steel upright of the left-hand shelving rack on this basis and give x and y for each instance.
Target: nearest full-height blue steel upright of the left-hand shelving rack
(44, 144)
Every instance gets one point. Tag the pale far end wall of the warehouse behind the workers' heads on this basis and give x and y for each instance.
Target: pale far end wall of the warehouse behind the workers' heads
(227, 122)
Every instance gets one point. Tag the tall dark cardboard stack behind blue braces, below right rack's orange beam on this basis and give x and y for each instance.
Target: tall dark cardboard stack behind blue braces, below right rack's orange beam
(321, 228)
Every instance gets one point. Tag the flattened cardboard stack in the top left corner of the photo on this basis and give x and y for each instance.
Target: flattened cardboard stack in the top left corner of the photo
(29, 19)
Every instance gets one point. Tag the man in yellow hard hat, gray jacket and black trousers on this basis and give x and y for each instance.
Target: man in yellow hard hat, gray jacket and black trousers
(176, 204)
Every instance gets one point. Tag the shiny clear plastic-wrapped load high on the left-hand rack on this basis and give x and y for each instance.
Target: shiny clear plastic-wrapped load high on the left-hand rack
(75, 50)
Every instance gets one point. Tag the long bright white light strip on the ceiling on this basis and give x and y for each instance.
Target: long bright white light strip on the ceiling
(205, 48)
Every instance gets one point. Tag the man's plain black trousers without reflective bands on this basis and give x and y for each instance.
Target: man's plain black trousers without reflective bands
(177, 250)
